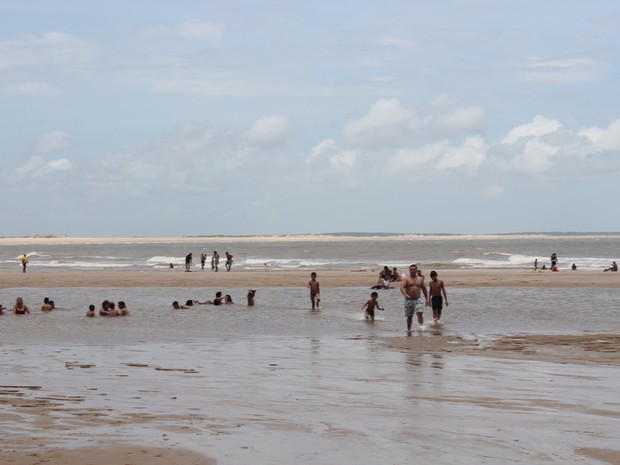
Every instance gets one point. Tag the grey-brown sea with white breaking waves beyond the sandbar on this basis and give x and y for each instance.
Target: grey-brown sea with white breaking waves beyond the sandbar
(329, 252)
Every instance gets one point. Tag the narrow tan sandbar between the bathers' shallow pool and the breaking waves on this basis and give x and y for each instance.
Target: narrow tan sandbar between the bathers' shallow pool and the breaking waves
(299, 278)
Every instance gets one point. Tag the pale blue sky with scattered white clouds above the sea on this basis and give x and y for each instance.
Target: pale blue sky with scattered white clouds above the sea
(238, 117)
